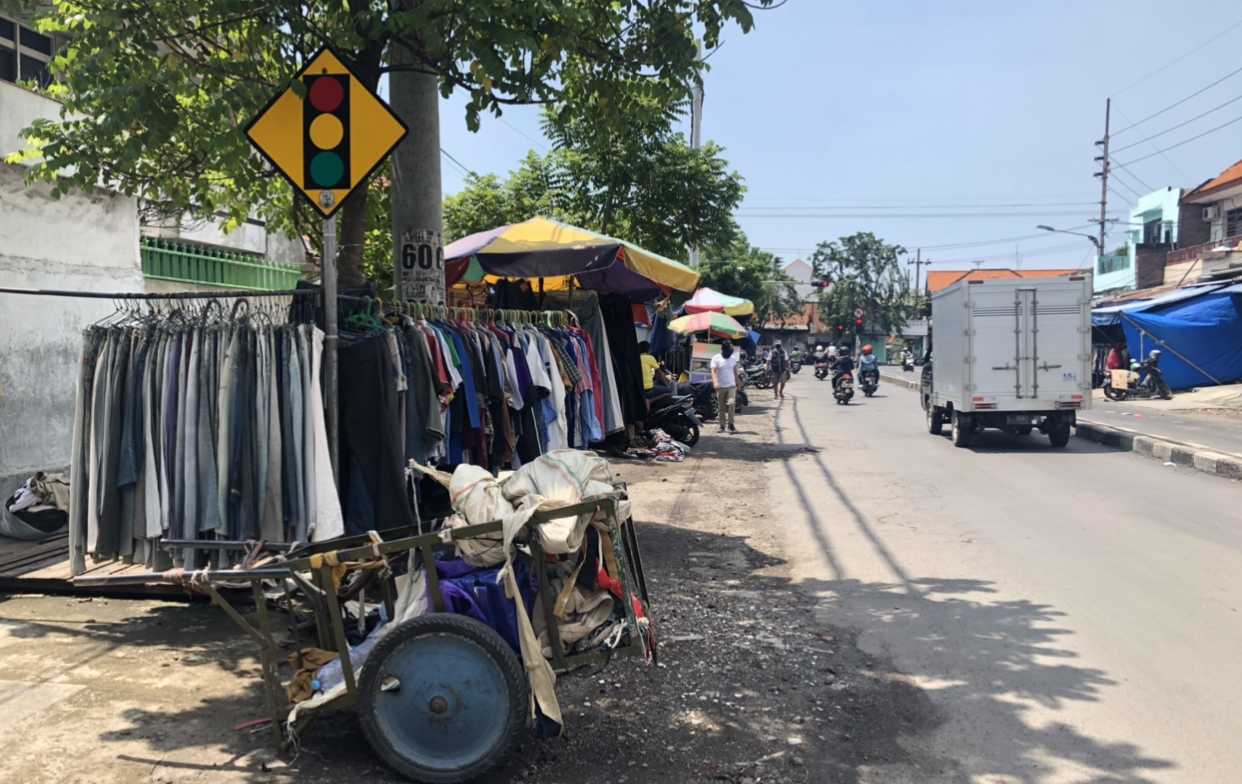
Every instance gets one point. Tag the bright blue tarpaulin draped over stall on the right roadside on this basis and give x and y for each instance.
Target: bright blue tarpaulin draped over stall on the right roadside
(1207, 330)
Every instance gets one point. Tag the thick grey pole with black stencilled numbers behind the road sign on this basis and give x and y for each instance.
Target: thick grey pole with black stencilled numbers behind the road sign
(418, 196)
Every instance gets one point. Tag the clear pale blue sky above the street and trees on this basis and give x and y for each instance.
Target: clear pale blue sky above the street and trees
(841, 114)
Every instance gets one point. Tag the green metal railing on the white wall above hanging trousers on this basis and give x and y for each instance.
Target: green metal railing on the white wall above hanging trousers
(191, 264)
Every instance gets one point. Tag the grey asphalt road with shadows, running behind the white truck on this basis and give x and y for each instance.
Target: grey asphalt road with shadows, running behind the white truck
(1071, 614)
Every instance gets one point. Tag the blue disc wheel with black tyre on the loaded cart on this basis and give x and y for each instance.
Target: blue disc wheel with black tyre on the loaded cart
(442, 699)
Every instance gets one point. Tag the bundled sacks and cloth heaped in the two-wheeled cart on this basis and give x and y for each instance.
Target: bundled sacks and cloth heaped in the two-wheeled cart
(492, 580)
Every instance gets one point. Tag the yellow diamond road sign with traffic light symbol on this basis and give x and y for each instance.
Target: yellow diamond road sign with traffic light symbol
(331, 142)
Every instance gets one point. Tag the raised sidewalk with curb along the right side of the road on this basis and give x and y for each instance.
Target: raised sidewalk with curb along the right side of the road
(1200, 429)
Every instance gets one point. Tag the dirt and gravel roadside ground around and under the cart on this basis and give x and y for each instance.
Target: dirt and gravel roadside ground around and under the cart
(752, 685)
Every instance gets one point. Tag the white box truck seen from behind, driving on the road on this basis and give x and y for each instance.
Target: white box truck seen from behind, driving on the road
(1013, 355)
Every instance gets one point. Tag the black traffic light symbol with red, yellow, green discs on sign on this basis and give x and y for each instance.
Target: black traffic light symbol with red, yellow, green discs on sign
(326, 132)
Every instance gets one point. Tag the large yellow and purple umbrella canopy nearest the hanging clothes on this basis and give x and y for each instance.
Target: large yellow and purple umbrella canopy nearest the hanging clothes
(546, 249)
